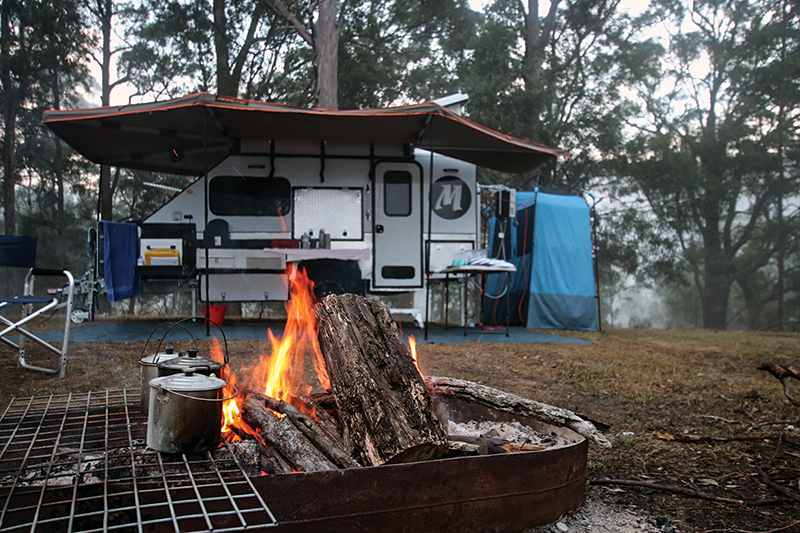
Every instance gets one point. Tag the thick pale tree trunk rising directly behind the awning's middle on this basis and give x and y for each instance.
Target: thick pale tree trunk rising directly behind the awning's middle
(327, 52)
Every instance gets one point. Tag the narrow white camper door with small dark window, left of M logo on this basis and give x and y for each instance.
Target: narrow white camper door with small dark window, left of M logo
(397, 229)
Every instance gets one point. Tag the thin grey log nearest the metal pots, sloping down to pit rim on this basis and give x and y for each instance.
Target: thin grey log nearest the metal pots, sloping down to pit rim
(284, 436)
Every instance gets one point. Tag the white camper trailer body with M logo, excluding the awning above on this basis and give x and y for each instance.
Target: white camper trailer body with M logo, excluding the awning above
(360, 223)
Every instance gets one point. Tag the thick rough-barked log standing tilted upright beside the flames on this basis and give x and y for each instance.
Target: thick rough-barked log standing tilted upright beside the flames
(384, 406)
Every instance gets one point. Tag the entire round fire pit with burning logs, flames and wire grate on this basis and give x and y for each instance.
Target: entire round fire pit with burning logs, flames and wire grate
(369, 460)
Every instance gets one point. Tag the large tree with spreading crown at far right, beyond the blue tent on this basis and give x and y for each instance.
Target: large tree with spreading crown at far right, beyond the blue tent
(719, 147)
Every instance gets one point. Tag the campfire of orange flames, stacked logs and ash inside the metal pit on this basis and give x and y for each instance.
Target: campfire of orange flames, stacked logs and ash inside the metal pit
(341, 390)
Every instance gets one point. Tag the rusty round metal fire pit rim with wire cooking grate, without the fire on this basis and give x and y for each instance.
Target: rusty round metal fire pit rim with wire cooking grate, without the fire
(79, 463)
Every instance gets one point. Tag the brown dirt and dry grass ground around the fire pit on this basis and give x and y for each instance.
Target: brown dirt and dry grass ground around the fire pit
(688, 412)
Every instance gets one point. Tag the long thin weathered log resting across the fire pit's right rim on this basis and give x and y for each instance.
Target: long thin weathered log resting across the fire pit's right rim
(511, 403)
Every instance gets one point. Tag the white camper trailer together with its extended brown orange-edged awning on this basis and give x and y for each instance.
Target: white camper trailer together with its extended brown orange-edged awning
(369, 200)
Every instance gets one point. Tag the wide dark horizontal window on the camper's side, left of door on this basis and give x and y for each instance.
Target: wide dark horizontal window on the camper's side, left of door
(249, 196)
